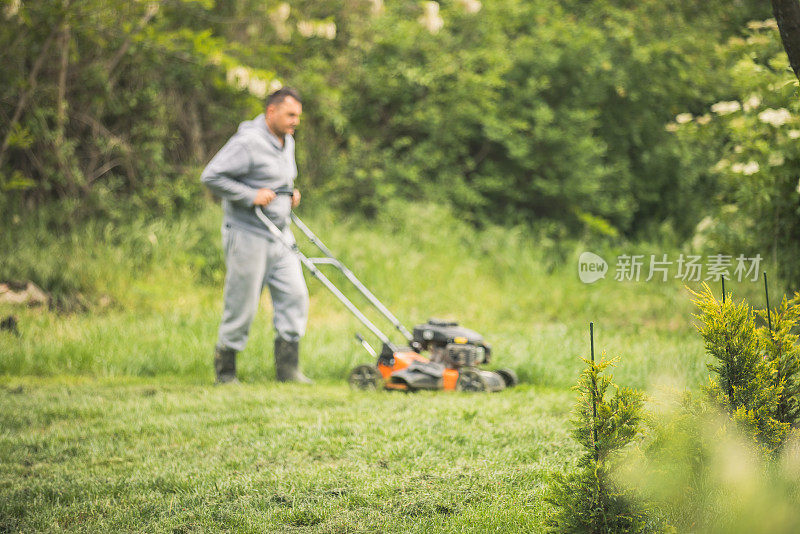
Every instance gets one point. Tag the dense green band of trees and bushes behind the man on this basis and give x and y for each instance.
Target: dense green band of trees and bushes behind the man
(511, 111)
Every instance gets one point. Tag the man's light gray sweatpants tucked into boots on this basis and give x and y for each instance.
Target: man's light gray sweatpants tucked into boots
(254, 262)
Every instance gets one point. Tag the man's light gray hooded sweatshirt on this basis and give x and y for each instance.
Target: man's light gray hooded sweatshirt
(251, 160)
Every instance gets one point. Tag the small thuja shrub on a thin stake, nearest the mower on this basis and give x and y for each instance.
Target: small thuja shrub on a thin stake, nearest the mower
(589, 500)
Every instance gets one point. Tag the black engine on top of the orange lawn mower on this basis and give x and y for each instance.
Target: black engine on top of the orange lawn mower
(451, 345)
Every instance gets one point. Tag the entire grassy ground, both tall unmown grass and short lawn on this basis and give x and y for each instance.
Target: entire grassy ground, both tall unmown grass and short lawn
(109, 420)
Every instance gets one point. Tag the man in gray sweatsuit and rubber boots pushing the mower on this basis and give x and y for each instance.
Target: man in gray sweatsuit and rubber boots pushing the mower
(255, 168)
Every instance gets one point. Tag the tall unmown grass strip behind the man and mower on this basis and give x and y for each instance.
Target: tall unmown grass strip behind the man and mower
(154, 287)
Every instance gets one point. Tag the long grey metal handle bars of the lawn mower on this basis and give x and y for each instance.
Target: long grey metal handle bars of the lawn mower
(310, 264)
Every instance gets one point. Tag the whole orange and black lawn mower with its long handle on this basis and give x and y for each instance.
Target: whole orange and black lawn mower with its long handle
(455, 351)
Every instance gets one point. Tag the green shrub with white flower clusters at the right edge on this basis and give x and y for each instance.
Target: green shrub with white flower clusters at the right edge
(752, 138)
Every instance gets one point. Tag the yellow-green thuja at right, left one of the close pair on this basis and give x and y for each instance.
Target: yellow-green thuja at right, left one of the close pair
(743, 380)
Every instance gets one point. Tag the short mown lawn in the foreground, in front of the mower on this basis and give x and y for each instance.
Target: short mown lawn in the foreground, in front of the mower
(144, 455)
